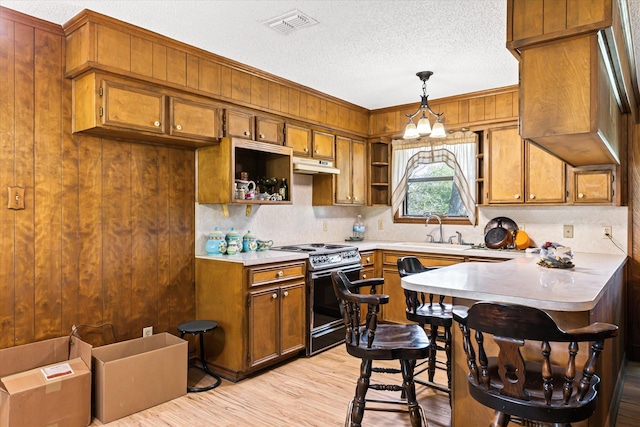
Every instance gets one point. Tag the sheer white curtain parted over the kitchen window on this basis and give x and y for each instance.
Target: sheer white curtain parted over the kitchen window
(458, 151)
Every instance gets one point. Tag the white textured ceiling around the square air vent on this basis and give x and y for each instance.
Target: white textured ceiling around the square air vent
(365, 52)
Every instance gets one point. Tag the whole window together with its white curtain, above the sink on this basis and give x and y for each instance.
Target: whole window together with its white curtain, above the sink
(435, 176)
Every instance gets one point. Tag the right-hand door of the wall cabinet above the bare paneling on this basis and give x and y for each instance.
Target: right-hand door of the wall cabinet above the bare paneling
(195, 120)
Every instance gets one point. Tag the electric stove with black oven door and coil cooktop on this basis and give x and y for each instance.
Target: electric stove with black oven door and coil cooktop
(325, 324)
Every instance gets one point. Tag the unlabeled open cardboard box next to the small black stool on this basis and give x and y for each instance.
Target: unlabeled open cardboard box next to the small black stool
(137, 374)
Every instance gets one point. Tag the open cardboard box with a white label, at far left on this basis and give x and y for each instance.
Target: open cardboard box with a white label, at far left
(46, 383)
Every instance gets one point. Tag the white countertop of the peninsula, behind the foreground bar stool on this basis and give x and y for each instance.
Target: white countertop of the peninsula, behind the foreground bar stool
(522, 281)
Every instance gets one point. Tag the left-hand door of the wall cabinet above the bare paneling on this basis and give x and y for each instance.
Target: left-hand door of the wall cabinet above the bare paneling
(133, 108)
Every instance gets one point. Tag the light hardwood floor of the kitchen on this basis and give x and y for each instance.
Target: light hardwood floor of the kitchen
(314, 392)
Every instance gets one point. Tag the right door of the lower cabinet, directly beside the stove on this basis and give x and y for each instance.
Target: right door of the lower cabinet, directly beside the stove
(292, 317)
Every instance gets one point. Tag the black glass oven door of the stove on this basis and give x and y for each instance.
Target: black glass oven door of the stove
(326, 323)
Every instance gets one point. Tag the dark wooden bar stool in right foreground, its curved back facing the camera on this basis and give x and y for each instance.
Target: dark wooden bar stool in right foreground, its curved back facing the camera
(530, 387)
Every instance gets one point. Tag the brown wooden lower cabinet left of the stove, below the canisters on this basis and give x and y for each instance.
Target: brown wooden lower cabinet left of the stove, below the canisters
(260, 311)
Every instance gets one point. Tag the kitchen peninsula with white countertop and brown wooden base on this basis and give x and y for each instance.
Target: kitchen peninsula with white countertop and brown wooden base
(592, 291)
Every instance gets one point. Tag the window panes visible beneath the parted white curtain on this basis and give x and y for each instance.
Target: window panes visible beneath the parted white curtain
(430, 189)
